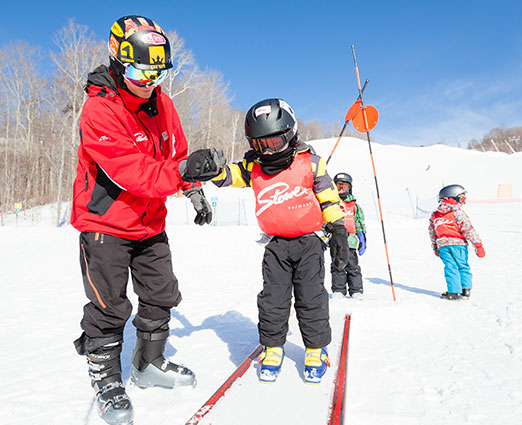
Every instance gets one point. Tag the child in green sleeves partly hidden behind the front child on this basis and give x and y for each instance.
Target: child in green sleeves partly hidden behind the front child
(354, 223)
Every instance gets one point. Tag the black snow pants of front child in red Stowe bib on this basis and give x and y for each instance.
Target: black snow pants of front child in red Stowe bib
(298, 264)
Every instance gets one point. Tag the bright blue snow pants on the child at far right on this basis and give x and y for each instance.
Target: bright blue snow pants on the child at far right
(456, 268)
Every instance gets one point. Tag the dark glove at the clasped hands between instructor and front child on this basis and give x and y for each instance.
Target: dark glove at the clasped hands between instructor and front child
(202, 165)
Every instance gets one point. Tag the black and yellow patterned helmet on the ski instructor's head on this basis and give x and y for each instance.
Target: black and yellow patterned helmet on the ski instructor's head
(139, 41)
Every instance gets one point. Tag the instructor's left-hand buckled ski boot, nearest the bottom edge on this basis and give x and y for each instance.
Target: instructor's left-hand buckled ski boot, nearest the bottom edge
(114, 405)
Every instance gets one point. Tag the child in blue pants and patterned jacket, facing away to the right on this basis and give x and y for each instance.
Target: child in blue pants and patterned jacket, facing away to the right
(450, 231)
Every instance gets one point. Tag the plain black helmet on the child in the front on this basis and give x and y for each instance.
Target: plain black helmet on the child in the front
(271, 117)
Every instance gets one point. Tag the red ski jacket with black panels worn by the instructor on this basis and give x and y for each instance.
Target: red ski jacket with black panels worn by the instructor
(128, 159)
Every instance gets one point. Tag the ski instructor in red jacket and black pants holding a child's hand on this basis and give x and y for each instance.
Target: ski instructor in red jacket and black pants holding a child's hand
(131, 144)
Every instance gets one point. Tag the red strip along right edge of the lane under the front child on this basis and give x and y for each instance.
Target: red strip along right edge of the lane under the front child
(336, 416)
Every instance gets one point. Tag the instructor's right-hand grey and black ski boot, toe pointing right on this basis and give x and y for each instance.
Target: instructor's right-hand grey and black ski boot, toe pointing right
(150, 369)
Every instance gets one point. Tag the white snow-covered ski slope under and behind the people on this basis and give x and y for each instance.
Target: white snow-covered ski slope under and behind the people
(419, 360)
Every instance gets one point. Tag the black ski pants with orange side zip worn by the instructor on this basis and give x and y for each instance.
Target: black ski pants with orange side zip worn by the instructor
(105, 262)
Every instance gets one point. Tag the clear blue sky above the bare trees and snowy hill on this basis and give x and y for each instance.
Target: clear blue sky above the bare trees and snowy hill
(438, 71)
